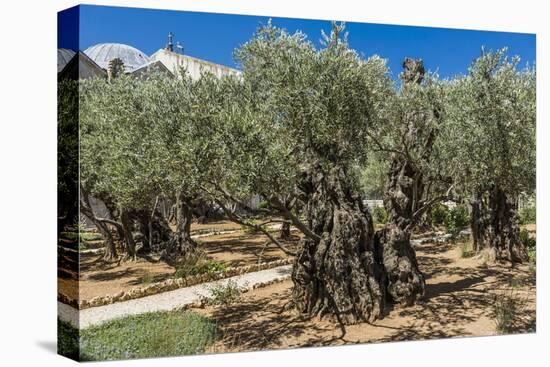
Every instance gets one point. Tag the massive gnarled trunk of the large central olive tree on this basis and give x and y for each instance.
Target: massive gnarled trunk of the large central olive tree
(338, 274)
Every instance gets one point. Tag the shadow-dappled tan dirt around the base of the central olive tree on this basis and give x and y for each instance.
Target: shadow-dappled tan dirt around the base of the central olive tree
(459, 301)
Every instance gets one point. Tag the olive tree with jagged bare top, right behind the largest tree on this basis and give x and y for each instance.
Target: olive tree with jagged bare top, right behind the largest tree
(410, 127)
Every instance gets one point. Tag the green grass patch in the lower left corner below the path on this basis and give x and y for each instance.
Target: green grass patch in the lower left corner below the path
(158, 334)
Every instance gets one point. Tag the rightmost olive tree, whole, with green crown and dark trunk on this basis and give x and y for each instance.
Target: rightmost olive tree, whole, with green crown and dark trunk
(489, 147)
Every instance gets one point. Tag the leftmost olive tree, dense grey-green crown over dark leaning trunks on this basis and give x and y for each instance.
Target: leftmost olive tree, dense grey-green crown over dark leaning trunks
(134, 151)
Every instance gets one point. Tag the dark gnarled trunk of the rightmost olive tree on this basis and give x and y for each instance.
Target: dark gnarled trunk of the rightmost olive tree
(494, 222)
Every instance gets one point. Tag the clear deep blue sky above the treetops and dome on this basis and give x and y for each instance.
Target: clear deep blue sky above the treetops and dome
(213, 37)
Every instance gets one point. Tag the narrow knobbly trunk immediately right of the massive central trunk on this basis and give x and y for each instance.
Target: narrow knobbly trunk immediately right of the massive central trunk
(406, 283)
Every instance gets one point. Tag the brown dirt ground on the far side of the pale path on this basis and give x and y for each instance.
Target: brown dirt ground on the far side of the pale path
(100, 278)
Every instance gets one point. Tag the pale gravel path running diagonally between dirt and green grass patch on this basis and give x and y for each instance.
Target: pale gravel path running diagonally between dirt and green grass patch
(165, 301)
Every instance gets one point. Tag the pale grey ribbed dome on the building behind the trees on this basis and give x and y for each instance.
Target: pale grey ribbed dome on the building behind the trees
(104, 52)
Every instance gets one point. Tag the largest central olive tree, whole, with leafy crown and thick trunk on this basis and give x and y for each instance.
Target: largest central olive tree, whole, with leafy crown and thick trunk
(316, 107)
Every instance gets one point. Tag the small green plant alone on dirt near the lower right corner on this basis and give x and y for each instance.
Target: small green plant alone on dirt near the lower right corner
(507, 307)
